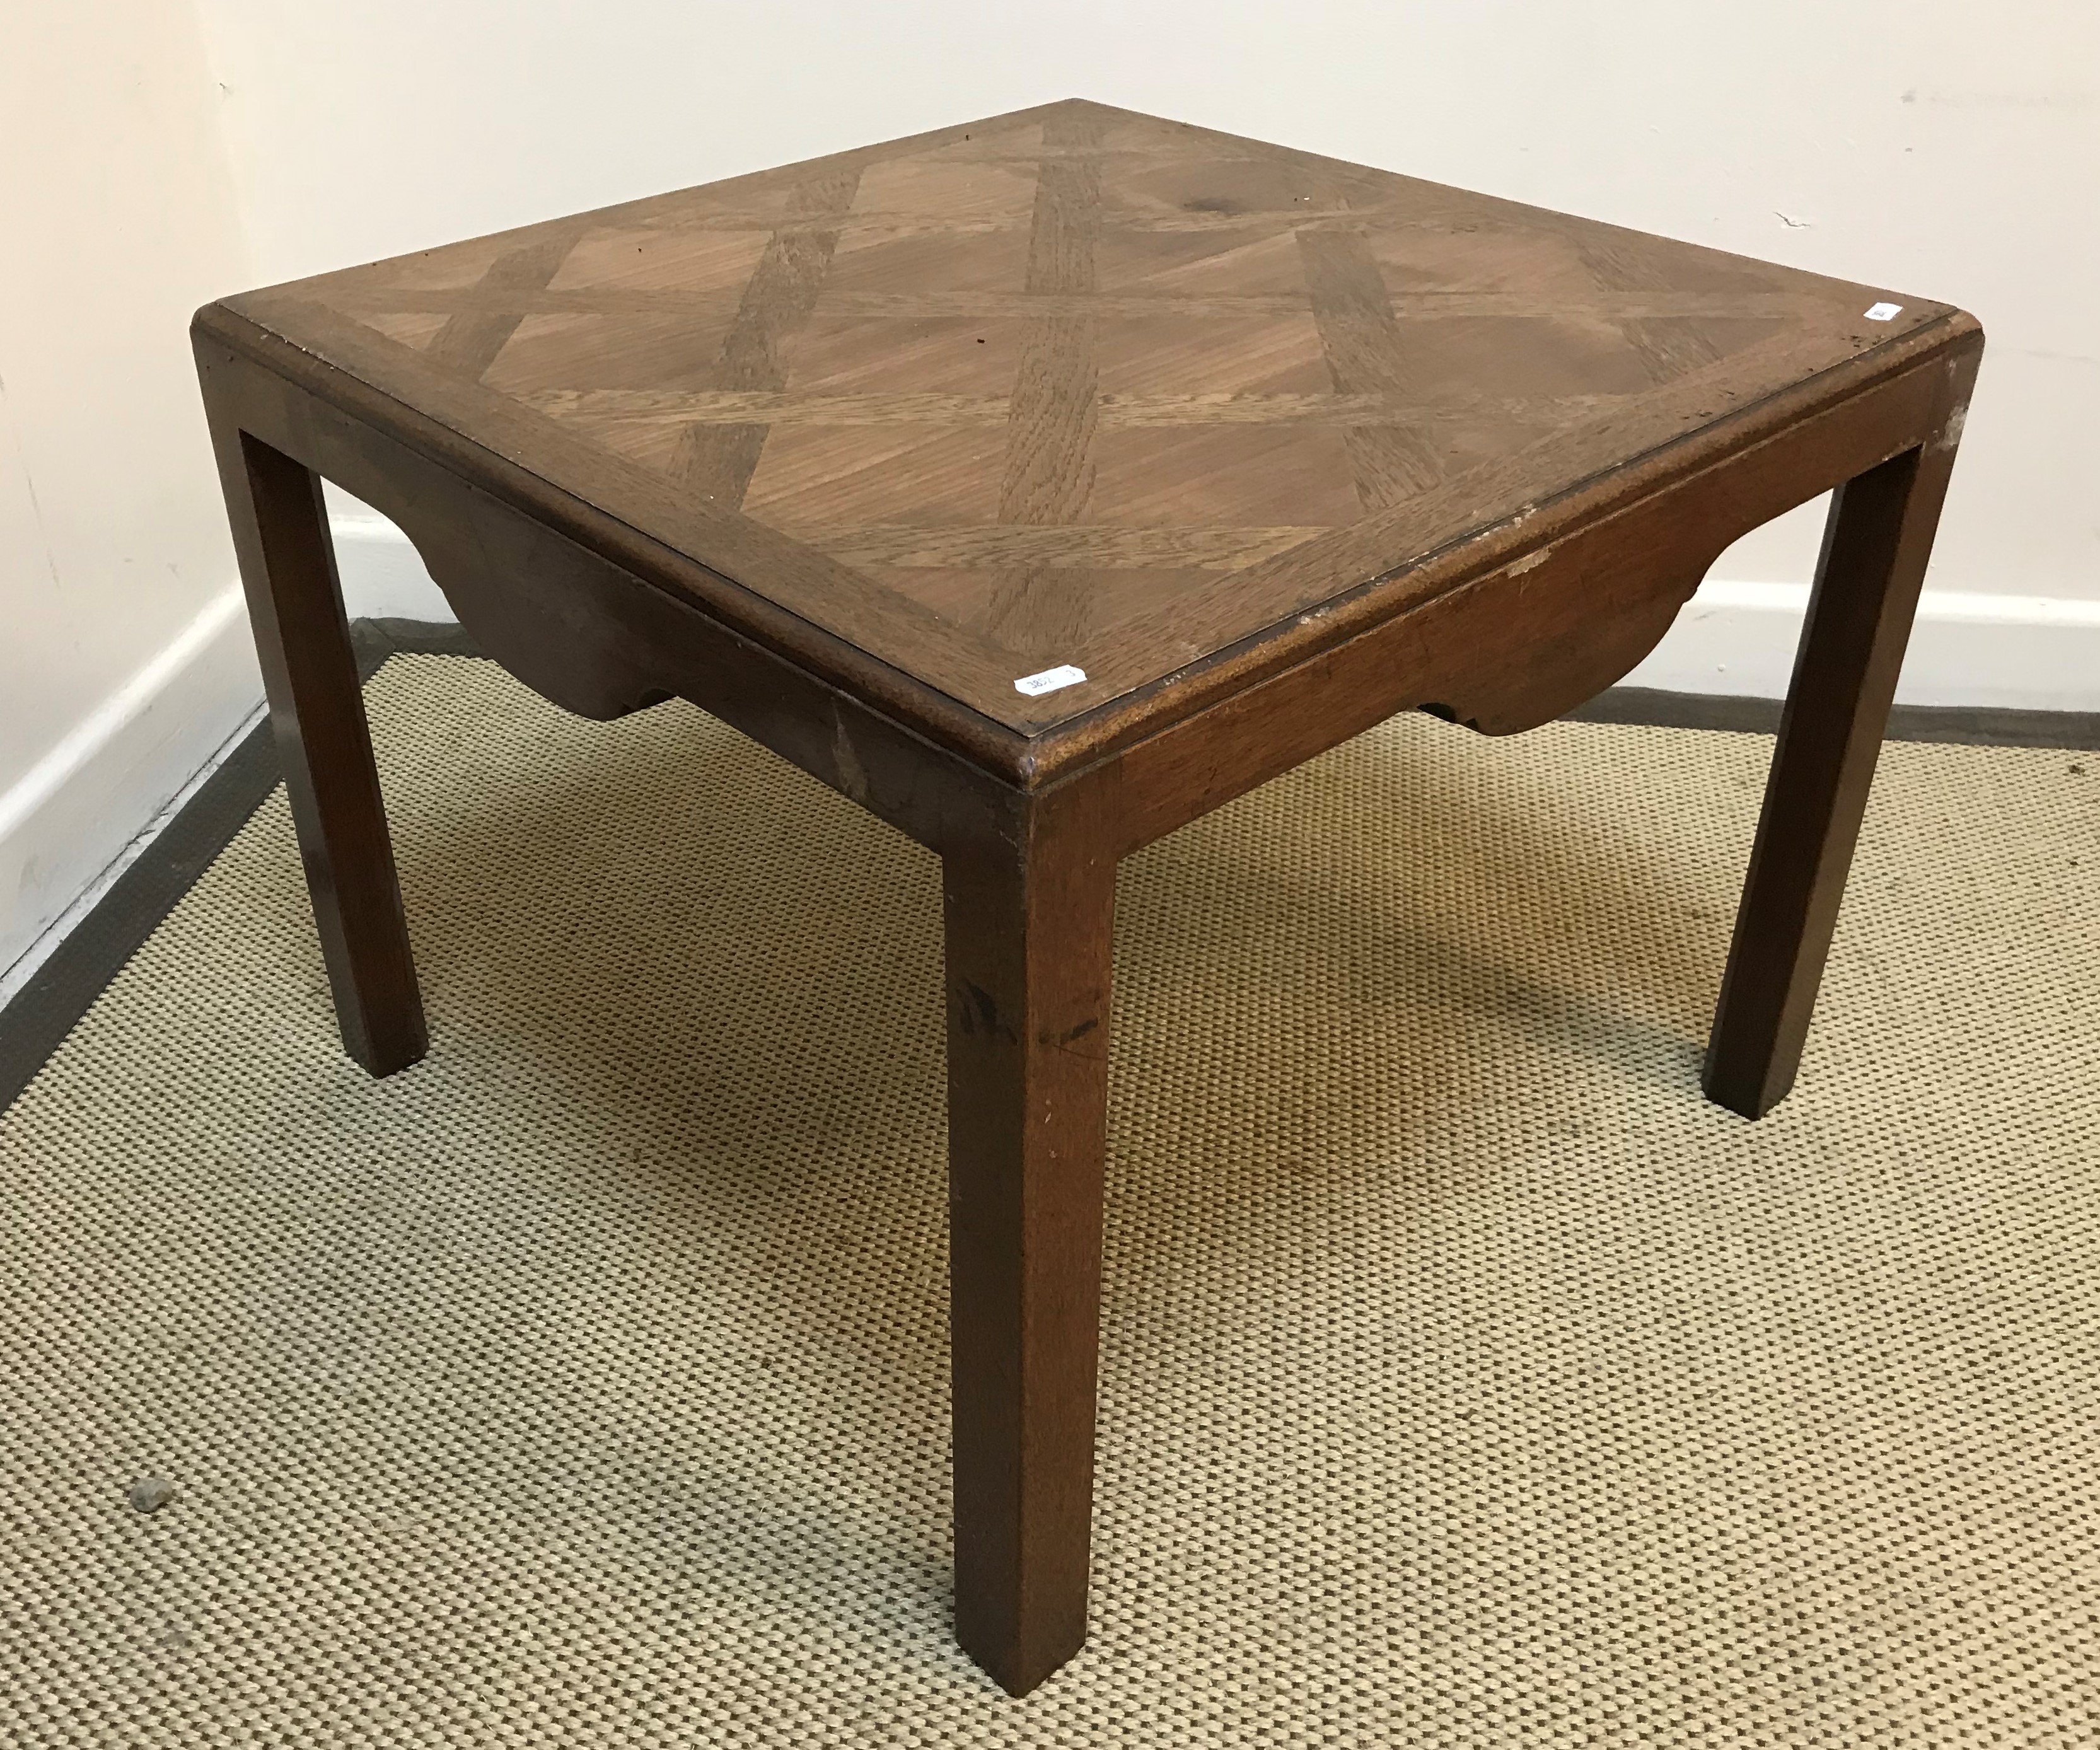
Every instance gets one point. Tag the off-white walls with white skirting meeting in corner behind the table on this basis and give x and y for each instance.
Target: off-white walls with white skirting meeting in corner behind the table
(1931, 146)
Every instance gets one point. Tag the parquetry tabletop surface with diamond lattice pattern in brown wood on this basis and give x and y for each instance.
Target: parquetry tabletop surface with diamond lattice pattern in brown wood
(1072, 386)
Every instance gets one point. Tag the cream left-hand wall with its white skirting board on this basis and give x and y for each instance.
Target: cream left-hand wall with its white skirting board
(125, 659)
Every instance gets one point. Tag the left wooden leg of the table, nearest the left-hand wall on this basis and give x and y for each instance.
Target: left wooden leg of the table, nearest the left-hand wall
(318, 711)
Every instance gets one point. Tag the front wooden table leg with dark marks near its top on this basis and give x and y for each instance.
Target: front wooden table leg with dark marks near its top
(1028, 1079)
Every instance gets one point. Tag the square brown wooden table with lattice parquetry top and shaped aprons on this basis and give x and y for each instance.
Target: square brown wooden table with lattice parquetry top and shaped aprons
(1043, 484)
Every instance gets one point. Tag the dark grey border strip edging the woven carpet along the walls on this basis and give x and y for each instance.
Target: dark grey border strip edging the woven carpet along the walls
(62, 991)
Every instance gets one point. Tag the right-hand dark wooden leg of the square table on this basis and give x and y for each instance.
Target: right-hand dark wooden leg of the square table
(1830, 738)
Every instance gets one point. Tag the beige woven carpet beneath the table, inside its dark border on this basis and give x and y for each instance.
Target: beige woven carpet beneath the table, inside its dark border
(1467, 1379)
